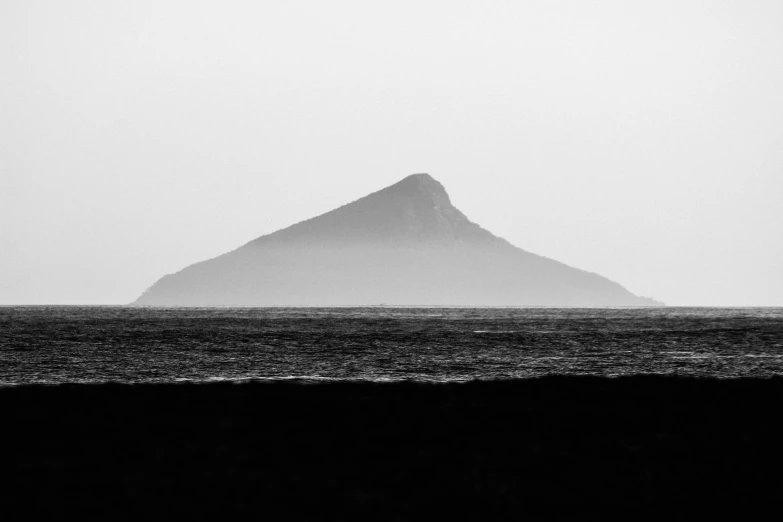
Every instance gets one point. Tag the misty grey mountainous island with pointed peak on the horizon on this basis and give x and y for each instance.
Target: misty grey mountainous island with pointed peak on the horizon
(403, 245)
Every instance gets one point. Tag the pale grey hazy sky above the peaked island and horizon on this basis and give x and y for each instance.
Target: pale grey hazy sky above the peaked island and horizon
(639, 140)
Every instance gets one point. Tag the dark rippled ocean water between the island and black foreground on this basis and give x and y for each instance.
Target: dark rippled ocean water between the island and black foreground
(135, 345)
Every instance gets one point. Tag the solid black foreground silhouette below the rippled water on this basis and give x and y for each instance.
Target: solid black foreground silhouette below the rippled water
(481, 450)
